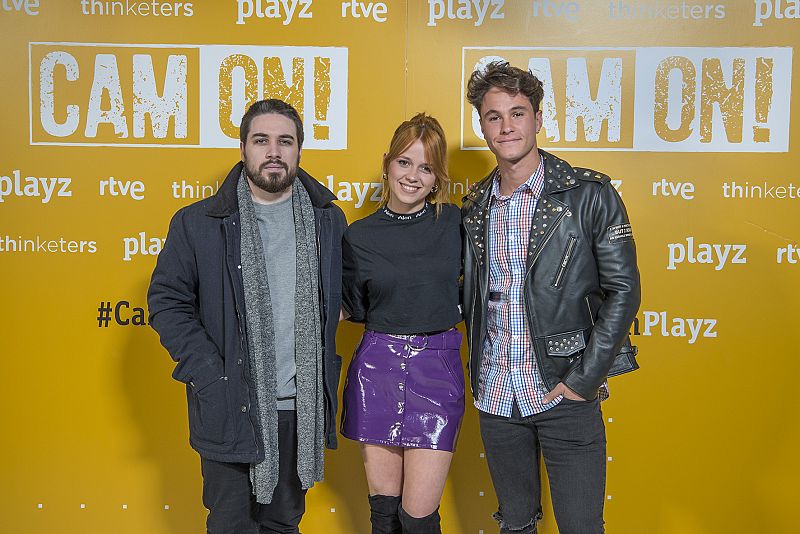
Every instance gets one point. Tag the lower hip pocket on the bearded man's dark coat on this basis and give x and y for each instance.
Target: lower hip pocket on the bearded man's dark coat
(209, 414)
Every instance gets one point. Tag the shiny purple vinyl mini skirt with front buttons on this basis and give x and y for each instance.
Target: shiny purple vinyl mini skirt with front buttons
(405, 391)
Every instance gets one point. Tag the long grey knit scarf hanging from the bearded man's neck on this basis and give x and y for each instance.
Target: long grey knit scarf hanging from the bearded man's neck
(261, 342)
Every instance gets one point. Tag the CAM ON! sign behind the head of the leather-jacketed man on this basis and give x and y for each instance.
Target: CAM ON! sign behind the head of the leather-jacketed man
(651, 99)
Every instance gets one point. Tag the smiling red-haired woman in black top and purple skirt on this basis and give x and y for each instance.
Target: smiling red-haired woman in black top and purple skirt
(404, 395)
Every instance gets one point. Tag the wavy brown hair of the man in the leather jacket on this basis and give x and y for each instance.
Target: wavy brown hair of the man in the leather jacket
(502, 75)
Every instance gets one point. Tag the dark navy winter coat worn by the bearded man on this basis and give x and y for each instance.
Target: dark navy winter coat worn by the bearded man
(196, 304)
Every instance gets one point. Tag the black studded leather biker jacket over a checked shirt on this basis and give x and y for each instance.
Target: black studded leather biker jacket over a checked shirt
(581, 284)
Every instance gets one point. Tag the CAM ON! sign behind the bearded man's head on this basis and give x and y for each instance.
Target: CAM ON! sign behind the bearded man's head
(150, 95)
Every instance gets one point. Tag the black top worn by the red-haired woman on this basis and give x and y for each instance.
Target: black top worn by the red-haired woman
(401, 272)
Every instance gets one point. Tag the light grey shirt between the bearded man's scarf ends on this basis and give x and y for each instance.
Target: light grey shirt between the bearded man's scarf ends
(276, 226)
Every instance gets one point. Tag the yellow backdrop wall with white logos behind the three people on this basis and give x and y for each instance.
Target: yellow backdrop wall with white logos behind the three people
(117, 113)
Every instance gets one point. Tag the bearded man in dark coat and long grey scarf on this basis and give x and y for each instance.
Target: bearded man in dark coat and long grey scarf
(245, 298)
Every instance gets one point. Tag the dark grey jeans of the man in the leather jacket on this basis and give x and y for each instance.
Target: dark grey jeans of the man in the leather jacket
(571, 437)
